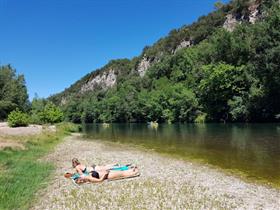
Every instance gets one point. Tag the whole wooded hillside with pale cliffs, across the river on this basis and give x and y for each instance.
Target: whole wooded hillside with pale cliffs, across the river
(224, 67)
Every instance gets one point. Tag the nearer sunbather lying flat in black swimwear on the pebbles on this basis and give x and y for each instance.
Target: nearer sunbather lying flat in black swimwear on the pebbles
(96, 177)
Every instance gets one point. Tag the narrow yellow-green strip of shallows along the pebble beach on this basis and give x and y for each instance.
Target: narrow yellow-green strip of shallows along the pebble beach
(194, 160)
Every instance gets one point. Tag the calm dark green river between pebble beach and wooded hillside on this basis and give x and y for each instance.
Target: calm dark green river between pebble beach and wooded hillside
(253, 149)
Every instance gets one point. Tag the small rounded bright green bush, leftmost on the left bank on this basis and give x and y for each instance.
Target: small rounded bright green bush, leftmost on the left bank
(17, 118)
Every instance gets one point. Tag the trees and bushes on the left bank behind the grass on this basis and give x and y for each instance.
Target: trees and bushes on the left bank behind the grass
(15, 105)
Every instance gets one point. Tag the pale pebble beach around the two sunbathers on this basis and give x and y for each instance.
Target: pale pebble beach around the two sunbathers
(165, 183)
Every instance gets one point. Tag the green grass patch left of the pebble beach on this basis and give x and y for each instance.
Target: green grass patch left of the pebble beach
(24, 175)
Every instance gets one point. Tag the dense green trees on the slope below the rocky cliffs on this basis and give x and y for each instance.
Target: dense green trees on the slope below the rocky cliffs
(227, 77)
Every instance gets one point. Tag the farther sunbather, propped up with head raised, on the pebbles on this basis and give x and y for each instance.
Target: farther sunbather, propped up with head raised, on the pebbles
(81, 169)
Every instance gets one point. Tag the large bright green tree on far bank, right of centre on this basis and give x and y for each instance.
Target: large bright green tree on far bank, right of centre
(221, 84)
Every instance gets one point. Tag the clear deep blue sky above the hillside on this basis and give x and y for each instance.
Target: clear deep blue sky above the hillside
(56, 42)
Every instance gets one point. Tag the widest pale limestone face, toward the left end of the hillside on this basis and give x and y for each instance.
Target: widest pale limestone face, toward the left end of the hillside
(103, 80)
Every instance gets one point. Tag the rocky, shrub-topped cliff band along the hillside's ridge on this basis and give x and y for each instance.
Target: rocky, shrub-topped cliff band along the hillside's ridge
(227, 17)
